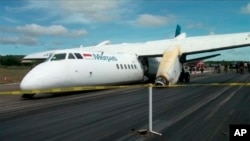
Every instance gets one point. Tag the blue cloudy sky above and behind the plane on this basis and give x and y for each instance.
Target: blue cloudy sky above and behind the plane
(30, 26)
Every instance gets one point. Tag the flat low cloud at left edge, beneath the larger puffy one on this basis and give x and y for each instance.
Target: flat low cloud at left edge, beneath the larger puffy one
(18, 40)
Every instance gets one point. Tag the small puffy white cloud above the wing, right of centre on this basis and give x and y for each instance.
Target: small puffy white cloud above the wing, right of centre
(149, 20)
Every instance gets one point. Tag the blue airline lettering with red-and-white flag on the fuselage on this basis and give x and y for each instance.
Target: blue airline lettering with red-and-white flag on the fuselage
(99, 57)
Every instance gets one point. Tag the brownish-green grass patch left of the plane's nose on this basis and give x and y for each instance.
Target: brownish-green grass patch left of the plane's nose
(13, 74)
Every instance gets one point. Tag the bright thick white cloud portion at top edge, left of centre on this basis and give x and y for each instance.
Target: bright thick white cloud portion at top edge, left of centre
(92, 11)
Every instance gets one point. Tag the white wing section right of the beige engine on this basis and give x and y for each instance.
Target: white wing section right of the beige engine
(194, 45)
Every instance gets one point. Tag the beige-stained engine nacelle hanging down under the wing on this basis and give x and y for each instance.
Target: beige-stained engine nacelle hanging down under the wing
(170, 68)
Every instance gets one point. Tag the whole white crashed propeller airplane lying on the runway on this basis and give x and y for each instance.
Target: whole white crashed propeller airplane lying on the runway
(107, 64)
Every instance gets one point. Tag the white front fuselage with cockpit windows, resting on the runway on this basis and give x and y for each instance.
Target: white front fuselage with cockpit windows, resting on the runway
(94, 68)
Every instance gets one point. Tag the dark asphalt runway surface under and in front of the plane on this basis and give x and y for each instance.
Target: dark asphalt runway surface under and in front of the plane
(180, 113)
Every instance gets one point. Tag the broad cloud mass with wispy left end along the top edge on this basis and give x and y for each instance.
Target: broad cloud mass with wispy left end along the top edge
(73, 11)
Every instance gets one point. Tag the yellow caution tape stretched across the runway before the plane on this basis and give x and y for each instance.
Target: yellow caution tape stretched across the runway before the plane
(85, 88)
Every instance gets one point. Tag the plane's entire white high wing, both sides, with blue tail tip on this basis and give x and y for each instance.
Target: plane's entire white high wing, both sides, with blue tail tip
(186, 45)
